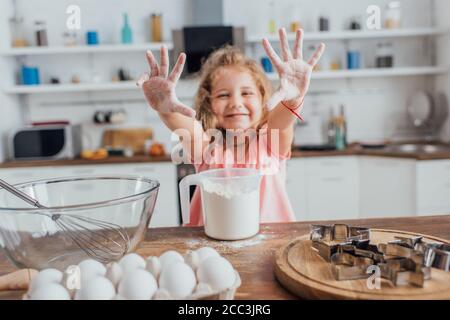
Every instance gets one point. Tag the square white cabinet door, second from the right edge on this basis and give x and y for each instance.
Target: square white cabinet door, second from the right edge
(387, 187)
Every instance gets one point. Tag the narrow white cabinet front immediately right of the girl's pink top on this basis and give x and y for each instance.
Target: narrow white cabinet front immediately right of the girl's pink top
(296, 187)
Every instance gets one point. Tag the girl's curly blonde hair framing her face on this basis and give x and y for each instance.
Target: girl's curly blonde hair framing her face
(227, 56)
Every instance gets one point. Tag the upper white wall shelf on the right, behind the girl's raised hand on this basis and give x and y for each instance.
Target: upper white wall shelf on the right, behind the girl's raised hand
(356, 34)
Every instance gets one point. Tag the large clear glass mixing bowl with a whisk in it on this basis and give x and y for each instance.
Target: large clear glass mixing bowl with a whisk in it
(31, 239)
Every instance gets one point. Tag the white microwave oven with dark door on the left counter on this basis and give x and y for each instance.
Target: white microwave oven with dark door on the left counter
(45, 142)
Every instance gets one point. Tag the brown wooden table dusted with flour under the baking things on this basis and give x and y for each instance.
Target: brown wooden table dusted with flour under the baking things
(253, 258)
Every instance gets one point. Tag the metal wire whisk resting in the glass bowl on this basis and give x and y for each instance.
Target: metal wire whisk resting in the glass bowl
(104, 242)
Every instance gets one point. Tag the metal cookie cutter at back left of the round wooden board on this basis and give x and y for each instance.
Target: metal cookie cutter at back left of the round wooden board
(327, 239)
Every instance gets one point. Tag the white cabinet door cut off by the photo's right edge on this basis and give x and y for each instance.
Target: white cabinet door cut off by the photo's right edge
(433, 187)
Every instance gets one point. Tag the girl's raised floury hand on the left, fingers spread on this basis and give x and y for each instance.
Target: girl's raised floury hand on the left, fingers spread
(159, 85)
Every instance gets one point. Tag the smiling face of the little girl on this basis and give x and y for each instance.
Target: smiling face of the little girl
(235, 99)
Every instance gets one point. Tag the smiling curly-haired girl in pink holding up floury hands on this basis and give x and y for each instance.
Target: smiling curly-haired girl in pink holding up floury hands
(235, 95)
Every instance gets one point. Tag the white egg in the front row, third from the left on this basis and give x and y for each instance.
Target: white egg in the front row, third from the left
(137, 284)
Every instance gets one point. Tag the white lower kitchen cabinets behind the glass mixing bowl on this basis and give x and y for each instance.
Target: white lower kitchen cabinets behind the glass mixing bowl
(166, 213)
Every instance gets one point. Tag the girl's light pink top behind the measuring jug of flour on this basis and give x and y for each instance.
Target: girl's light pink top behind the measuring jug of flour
(274, 202)
